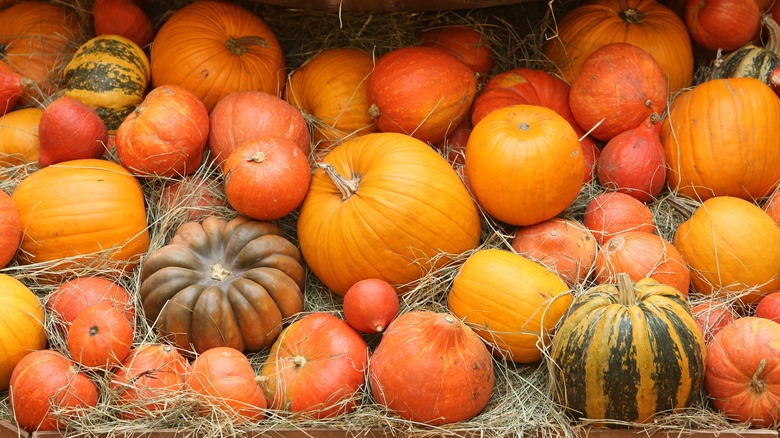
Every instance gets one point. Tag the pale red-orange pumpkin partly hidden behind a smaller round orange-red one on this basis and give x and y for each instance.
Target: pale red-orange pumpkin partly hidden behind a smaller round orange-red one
(245, 115)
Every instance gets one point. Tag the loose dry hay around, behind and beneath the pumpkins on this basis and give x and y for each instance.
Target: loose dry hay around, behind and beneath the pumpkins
(522, 402)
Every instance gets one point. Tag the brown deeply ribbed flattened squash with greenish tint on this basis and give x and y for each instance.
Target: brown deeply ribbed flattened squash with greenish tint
(223, 283)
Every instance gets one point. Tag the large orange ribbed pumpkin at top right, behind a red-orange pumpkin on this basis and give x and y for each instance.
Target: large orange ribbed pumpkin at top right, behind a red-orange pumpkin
(644, 23)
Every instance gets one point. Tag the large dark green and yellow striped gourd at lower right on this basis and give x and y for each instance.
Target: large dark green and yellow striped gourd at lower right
(627, 353)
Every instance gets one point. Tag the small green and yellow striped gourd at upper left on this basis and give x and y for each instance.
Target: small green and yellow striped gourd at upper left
(109, 73)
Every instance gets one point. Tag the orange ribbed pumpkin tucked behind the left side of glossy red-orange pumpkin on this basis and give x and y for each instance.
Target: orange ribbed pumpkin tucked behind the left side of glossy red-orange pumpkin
(331, 89)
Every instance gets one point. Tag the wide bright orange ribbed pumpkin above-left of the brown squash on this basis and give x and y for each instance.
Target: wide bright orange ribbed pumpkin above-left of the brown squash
(85, 208)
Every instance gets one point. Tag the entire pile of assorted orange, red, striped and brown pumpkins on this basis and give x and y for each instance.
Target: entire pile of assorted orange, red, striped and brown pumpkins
(391, 168)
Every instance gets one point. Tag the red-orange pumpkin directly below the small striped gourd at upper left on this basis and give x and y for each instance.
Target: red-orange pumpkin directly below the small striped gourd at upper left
(165, 135)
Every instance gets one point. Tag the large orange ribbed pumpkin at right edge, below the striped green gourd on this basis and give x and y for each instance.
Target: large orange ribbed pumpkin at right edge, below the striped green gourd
(720, 140)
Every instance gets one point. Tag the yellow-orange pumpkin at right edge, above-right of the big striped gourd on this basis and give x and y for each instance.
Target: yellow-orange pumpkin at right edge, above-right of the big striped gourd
(731, 246)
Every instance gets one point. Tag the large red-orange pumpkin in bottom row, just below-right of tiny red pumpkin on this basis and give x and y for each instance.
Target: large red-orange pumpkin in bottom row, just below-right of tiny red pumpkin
(431, 368)
